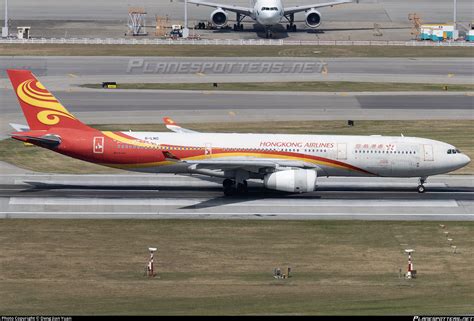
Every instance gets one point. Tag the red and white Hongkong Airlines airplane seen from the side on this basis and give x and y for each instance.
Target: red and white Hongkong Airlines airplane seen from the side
(288, 163)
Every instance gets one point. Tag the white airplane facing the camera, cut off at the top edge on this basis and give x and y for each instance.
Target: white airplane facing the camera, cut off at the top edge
(267, 13)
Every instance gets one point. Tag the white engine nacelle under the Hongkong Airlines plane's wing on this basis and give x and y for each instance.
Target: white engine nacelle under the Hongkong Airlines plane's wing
(292, 180)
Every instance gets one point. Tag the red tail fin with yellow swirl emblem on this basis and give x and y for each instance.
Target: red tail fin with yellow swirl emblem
(41, 109)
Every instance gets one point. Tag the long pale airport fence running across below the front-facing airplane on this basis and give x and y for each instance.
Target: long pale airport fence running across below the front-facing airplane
(234, 42)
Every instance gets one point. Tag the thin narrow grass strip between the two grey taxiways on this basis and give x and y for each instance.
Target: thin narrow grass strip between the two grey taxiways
(323, 86)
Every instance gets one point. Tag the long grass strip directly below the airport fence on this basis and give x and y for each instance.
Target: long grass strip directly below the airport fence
(231, 51)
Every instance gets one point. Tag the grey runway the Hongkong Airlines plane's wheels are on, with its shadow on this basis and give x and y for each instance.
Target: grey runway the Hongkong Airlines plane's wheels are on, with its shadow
(183, 197)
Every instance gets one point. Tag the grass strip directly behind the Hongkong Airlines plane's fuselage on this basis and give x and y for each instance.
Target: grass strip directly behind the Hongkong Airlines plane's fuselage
(460, 133)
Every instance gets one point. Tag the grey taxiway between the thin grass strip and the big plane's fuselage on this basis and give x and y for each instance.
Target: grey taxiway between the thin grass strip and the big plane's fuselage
(132, 107)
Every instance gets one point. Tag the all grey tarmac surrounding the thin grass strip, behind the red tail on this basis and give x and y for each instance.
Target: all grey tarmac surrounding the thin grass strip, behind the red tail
(62, 75)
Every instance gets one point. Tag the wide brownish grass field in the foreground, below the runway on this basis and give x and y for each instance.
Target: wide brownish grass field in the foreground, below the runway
(225, 267)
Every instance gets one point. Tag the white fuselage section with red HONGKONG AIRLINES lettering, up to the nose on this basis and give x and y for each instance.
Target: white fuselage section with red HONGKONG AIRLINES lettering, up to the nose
(329, 155)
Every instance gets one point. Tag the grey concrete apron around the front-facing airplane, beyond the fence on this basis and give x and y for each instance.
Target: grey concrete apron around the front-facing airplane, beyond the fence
(54, 18)
